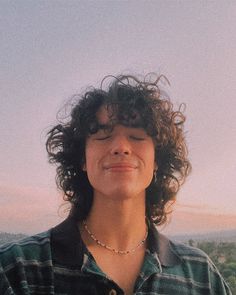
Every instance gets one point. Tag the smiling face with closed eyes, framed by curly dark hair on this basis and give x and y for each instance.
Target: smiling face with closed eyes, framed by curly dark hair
(119, 164)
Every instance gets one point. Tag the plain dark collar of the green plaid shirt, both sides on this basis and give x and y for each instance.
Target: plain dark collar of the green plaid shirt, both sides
(68, 248)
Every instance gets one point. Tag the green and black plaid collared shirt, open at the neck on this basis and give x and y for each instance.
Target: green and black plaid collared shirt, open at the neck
(57, 262)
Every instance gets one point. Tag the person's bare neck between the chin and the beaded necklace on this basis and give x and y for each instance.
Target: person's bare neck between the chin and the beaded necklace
(119, 224)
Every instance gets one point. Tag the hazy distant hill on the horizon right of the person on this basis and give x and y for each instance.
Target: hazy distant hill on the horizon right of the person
(228, 236)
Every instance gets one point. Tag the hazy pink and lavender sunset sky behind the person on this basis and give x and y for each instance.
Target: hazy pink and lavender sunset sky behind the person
(50, 50)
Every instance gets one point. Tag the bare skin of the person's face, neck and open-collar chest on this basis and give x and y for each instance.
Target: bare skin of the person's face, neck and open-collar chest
(120, 167)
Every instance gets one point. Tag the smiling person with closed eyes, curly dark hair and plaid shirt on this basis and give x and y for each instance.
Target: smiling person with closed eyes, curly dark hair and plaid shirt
(121, 158)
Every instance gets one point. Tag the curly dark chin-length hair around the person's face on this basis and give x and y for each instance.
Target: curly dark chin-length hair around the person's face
(134, 103)
